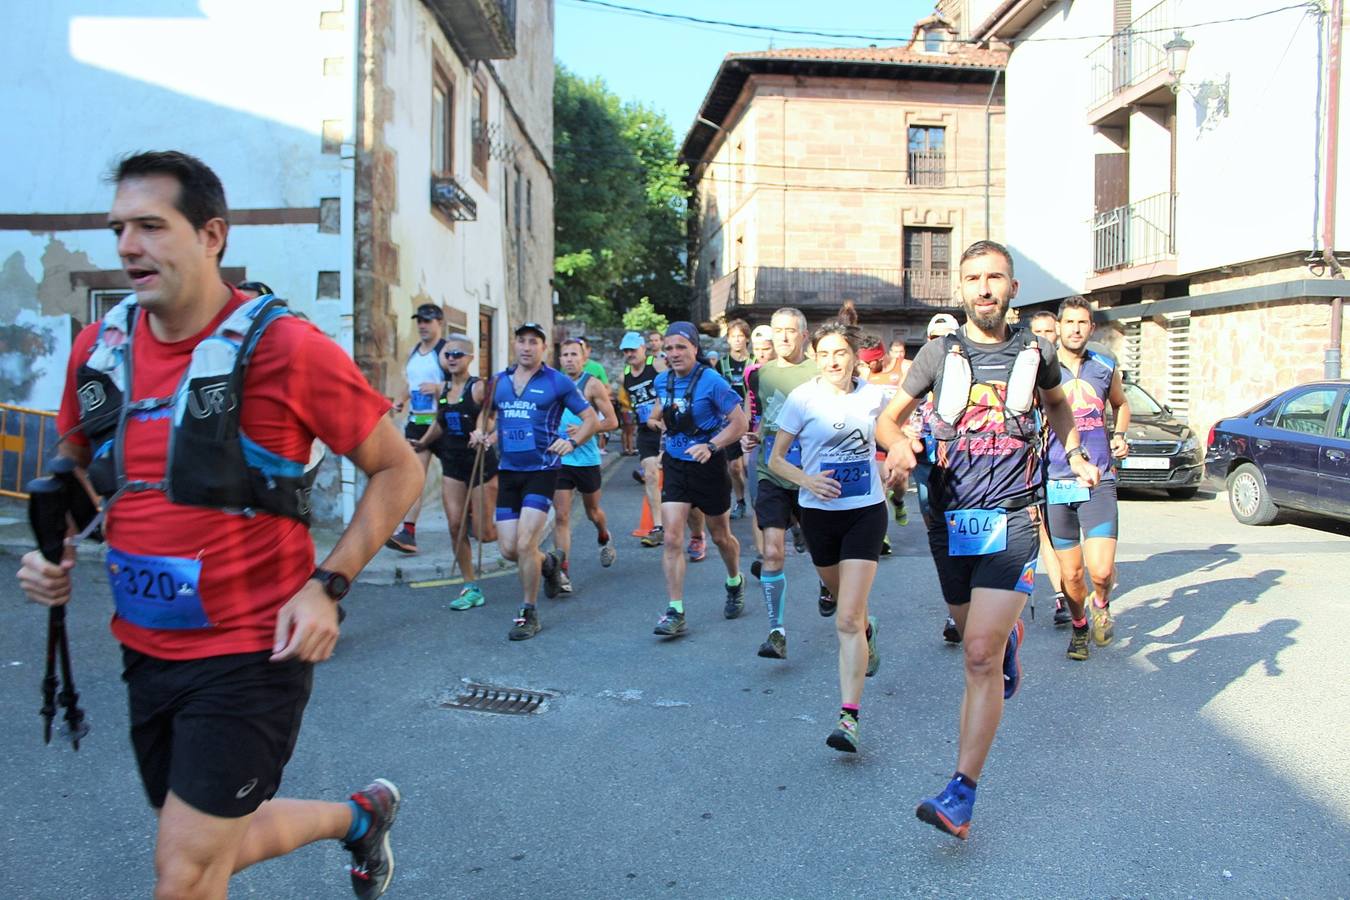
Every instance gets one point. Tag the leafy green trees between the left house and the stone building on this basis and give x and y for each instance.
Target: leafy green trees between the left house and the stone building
(620, 206)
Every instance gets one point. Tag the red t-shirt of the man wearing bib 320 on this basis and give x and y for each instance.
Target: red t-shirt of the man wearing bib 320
(299, 387)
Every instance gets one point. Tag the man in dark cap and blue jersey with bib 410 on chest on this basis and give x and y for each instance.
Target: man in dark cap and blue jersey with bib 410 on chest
(523, 420)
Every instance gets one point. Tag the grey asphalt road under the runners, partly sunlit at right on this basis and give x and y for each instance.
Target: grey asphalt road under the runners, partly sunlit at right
(1206, 754)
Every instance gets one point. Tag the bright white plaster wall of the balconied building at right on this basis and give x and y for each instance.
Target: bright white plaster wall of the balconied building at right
(1245, 181)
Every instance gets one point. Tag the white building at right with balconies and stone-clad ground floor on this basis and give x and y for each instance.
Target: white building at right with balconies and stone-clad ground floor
(1198, 227)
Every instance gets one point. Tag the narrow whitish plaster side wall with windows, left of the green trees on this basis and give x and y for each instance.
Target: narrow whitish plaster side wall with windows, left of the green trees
(464, 266)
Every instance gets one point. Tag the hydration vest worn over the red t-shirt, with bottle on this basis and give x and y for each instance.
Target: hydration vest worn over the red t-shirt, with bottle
(211, 462)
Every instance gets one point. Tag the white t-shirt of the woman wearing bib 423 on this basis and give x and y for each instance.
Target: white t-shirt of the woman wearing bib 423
(838, 432)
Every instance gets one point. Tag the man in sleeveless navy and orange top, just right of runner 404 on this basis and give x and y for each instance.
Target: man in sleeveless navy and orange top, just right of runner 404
(1090, 381)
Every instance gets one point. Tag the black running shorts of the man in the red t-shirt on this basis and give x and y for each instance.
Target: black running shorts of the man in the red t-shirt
(217, 732)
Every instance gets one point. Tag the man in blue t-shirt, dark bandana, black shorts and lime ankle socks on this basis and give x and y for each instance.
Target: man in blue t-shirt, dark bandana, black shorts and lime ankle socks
(691, 408)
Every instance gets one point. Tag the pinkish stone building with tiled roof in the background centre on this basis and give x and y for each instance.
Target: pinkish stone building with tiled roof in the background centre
(823, 176)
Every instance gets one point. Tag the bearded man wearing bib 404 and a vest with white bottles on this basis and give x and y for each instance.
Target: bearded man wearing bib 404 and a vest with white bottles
(985, 493)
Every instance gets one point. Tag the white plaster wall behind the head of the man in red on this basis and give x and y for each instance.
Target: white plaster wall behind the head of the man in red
(206, 78)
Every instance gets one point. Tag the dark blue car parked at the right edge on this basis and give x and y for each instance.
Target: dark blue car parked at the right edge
(1291, 451)
